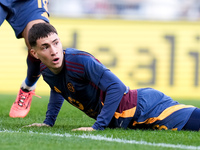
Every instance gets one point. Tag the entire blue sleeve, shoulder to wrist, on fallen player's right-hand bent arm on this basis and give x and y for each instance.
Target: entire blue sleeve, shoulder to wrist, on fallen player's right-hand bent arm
(110, 84)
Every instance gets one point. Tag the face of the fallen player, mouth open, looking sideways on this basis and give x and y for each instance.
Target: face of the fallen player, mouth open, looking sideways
(49, 51)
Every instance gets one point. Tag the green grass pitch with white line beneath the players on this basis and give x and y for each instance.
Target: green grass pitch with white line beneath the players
(14, 137)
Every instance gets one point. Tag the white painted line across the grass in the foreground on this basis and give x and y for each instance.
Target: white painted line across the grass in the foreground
(110, 139)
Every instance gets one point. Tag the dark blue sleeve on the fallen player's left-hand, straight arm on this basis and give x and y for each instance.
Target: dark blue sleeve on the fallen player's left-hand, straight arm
(54, 106)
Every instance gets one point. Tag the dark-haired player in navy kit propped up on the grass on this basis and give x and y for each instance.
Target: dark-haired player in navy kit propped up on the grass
(87, 84)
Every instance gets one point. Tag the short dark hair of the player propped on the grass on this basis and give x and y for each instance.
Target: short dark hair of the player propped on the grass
(40, 30)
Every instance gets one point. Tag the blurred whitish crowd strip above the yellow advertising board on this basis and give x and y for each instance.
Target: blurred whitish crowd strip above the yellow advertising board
(127, 9)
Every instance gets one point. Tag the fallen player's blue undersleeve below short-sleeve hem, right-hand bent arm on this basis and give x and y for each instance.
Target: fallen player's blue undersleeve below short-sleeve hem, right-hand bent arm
(114, 89)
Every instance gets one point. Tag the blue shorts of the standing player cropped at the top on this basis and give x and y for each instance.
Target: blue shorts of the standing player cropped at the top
(19, 13)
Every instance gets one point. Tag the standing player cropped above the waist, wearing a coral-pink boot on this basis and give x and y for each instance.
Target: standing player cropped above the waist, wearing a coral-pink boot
(21, 15)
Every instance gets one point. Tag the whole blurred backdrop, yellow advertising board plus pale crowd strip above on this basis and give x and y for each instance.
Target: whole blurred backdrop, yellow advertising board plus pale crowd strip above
(146, 43)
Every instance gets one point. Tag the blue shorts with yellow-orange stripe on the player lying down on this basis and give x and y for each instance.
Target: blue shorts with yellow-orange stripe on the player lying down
(155, 110)
